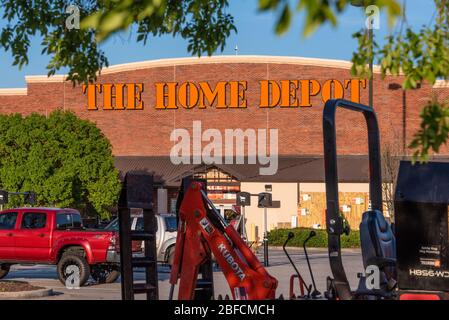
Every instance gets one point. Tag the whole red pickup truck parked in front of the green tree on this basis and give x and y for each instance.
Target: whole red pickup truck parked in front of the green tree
(57, 236)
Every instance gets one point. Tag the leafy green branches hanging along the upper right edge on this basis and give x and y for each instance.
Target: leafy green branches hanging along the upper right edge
(420, 56)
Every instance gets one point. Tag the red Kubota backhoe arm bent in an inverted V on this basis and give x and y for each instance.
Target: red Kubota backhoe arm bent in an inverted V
(202, 231)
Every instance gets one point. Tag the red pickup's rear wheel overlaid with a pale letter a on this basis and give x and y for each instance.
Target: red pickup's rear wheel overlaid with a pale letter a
(68, 265)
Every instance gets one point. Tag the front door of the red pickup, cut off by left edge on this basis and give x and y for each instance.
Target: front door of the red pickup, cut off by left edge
(8, 232)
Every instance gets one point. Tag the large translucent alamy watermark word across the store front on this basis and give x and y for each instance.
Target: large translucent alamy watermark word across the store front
(261, 145)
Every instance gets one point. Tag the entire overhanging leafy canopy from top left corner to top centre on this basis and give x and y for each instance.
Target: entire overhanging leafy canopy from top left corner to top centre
(204, 23)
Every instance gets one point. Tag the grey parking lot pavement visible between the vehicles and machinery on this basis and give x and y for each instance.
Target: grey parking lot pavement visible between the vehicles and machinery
(280, 268)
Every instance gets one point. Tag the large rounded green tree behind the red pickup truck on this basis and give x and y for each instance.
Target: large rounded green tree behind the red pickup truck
(67, 161)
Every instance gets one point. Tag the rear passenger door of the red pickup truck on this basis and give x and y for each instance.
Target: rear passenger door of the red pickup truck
(33, 239)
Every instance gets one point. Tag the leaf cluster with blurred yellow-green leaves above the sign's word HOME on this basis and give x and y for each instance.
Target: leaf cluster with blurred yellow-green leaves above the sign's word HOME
(204, 23)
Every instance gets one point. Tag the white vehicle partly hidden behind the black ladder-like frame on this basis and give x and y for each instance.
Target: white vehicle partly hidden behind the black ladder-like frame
(165, 236)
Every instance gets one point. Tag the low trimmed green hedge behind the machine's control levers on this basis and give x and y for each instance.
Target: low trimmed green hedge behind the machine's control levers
(277, 237)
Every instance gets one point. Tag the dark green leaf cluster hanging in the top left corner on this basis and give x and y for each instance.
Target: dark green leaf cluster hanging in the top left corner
(75, 49)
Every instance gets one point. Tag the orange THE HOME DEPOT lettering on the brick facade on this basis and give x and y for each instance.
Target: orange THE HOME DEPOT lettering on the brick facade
(222, 95)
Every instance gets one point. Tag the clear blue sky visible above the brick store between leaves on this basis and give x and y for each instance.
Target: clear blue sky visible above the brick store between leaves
(255, 37)
